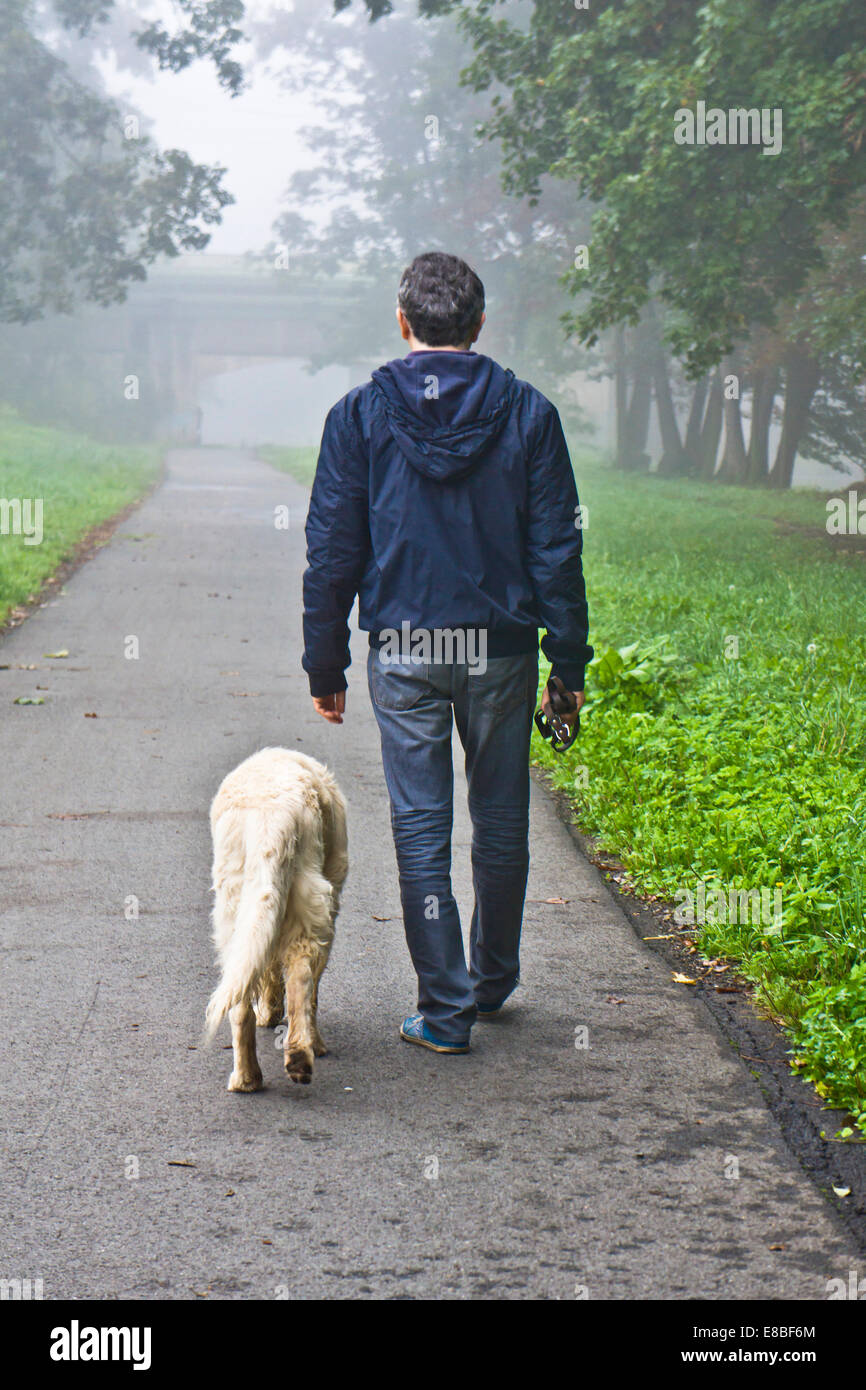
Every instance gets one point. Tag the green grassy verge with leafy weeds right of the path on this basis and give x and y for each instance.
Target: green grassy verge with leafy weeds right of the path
(725, 742)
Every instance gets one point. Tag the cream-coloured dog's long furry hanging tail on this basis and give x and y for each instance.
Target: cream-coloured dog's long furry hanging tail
(268, 875)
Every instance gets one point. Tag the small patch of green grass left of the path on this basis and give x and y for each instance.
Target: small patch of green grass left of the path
(80, 483)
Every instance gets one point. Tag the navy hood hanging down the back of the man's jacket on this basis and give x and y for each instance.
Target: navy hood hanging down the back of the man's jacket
(444, 409)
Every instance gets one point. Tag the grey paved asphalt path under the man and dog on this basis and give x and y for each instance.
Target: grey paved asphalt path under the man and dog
(528, 1170)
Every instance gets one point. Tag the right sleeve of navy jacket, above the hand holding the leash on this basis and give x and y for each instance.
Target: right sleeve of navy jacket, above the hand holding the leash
(554, 554)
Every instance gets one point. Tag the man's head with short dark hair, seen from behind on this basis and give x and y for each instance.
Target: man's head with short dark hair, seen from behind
(443, 300)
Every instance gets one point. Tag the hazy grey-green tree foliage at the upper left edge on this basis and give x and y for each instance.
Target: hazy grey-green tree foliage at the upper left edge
(88, 204)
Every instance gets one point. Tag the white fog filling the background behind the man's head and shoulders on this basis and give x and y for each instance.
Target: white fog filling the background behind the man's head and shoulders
(344, 149)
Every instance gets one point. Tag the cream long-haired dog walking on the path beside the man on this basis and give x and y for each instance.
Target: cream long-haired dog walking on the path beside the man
(279, 825)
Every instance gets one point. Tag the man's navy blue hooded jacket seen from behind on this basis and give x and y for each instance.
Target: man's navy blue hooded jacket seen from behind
(444, 497)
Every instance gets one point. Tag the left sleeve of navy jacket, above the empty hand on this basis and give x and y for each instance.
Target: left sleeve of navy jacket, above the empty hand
(338, 548)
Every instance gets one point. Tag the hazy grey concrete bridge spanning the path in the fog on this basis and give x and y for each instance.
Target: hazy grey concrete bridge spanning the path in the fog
(141, 369)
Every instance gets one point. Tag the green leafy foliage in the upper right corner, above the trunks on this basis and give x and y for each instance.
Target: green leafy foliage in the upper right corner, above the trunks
(724, 234)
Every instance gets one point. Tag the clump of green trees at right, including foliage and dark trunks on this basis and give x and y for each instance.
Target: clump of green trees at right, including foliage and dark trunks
(733, 241)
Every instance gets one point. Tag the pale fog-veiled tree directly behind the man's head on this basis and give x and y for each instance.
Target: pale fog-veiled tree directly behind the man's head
(401, 170)
